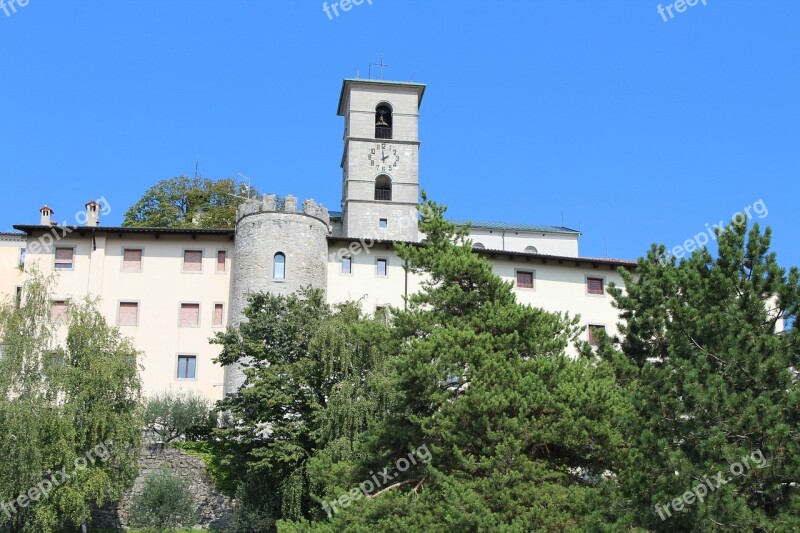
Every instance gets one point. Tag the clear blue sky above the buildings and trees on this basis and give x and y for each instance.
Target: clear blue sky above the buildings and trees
(633, 129)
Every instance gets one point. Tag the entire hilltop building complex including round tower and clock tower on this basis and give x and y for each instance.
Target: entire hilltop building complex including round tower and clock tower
(171, 290)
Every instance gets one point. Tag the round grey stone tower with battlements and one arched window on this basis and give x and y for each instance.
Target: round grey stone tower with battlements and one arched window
(276, 251)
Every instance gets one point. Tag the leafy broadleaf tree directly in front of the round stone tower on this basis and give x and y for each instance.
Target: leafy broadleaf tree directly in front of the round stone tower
(311, 389)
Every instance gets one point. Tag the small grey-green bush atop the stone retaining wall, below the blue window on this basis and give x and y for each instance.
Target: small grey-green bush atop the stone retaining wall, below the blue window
(172, 415)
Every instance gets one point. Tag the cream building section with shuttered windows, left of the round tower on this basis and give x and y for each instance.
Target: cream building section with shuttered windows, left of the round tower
(170, 292)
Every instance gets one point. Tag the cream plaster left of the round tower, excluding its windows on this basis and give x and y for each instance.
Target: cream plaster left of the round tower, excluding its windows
(159, 289)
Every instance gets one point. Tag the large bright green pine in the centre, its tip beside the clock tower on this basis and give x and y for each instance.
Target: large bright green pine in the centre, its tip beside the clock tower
(519, 432)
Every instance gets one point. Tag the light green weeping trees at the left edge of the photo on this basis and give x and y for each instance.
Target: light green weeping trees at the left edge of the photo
(62, 400)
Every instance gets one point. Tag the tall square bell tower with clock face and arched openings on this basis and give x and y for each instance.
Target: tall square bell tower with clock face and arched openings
(380, 163)
